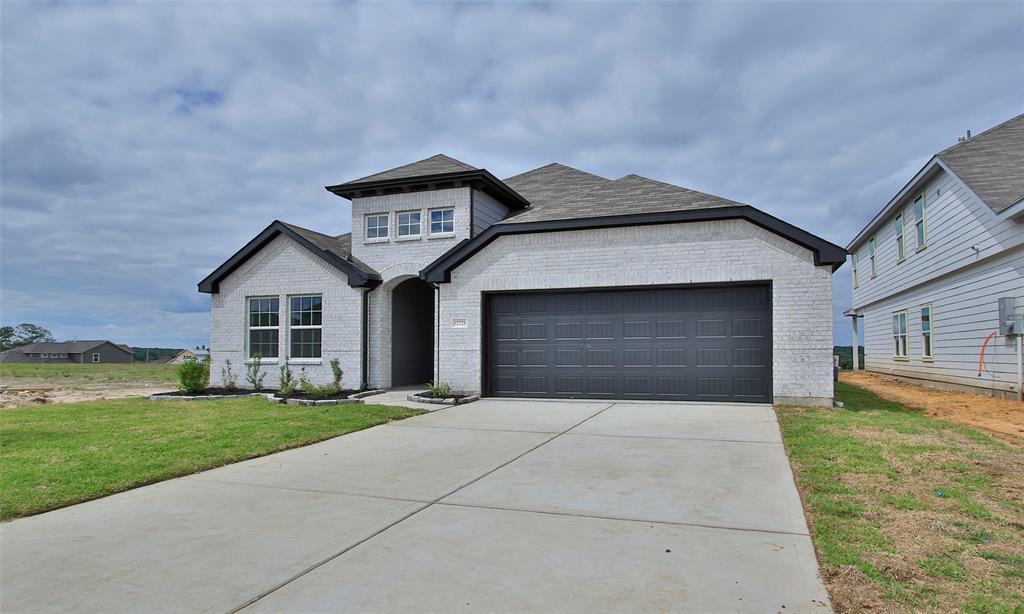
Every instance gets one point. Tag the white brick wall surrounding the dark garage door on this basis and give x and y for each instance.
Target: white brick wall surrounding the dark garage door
(672, 254)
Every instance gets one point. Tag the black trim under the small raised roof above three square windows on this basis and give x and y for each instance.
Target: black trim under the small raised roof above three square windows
(479, 179)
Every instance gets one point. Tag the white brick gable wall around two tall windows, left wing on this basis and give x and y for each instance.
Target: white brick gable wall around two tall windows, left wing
(282, 270)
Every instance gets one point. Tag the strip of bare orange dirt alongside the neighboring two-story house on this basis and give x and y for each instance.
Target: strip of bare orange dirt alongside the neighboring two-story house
(1001, 418)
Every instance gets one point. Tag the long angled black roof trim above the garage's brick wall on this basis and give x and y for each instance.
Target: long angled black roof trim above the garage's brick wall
(440, 272)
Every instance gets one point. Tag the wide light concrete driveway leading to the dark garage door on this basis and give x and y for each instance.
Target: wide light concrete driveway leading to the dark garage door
(493, 507)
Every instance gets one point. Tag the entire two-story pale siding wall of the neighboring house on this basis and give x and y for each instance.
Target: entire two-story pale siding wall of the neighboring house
(961, 282)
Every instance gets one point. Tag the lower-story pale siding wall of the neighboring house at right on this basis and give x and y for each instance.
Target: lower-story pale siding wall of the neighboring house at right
(965, 313)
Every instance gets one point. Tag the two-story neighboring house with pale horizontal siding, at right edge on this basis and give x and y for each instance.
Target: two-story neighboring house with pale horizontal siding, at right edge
(928, 271)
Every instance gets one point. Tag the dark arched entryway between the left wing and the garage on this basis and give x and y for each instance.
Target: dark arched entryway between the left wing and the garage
(412, 333)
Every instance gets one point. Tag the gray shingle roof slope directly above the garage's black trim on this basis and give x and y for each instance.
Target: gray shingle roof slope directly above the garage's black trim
(630, 195)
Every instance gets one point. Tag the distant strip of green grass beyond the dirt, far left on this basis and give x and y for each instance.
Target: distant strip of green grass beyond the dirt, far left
(71, 375)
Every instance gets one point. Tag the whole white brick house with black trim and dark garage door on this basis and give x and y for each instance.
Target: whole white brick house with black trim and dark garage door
(554, 283)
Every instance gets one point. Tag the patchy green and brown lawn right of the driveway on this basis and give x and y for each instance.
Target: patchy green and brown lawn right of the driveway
(908, 513)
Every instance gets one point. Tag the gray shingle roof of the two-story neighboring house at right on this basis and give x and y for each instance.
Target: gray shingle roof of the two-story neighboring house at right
(993, 163)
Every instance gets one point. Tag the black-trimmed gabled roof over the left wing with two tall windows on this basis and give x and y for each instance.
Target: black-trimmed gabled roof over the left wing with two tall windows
(336, 251)
